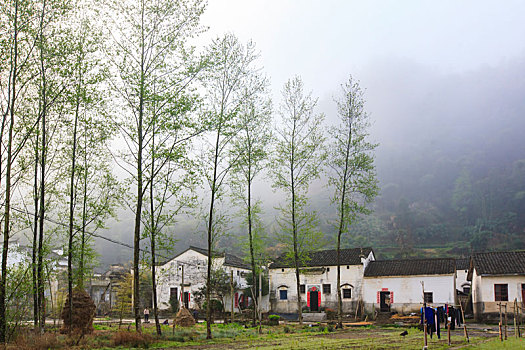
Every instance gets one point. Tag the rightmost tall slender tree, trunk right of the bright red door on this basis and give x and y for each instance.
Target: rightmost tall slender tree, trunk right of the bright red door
(351, 160)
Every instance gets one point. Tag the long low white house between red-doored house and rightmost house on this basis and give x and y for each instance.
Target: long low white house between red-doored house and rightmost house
(396, 285)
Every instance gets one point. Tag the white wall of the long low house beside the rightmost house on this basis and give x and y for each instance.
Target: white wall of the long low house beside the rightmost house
(407, 291)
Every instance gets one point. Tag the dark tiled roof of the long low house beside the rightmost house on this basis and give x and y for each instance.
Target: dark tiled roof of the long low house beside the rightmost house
(409, 267)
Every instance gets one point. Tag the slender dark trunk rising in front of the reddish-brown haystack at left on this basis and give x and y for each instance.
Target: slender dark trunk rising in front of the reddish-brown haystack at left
(71, 210)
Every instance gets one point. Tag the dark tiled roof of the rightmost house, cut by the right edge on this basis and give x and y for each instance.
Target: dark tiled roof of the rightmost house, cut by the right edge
(500, 263)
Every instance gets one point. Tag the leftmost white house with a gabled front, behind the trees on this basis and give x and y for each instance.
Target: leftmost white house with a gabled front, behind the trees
(194, 262)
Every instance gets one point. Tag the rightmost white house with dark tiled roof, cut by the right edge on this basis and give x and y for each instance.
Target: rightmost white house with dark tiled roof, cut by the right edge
(497, 277)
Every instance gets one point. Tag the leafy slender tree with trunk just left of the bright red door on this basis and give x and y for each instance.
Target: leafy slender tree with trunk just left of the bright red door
(297, 162)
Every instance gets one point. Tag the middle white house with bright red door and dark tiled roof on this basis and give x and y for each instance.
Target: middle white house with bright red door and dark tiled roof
(318, 279)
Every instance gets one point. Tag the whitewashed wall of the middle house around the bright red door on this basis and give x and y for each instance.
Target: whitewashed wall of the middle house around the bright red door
(284, 278)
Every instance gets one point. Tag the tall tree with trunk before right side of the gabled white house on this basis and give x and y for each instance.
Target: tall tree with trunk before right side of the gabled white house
(229, 84)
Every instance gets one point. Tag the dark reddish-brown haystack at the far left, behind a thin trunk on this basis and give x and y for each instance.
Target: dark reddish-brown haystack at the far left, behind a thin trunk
(83, 313)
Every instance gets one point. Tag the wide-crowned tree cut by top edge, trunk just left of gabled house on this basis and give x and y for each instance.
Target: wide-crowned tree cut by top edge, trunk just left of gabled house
(151, 63)
